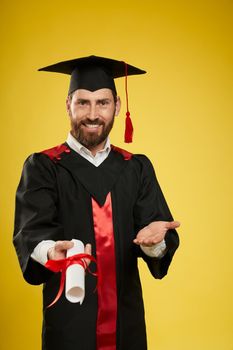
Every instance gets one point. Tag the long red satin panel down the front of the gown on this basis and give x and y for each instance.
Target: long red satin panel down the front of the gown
(106, 287)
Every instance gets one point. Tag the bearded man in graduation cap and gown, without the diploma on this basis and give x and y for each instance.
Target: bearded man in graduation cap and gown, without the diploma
(104, 196)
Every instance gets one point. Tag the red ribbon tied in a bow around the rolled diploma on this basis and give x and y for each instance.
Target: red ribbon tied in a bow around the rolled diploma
(62, 265)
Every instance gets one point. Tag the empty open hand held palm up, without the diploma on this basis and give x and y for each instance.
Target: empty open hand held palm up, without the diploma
(154, 233)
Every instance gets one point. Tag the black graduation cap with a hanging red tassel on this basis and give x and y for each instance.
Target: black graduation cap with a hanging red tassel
(93, 73)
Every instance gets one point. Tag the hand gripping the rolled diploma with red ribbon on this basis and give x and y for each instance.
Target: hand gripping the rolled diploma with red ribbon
(60, 248)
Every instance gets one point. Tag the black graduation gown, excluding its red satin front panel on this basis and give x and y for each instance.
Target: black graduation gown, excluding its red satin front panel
(53, 202)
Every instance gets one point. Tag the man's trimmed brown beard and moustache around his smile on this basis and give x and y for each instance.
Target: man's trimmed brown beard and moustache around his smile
(91, 140)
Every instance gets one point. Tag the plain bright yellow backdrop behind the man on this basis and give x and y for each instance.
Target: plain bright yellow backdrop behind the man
(182, 113)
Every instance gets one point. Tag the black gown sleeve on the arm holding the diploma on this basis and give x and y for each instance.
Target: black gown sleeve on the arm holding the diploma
(36, 217)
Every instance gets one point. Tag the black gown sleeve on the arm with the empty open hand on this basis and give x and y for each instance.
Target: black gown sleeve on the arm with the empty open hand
(151, 206)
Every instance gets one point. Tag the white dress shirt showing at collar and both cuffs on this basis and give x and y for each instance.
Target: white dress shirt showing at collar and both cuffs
(40, 253)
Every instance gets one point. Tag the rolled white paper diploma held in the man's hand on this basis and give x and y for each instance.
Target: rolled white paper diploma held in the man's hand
(75, 275)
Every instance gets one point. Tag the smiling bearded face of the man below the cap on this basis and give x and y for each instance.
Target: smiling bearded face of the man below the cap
(92, 116)
